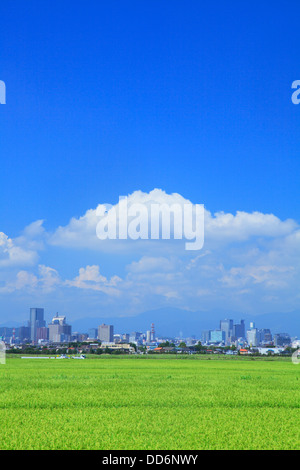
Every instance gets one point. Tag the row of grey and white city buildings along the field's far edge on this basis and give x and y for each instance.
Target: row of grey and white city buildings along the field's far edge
(58, 331)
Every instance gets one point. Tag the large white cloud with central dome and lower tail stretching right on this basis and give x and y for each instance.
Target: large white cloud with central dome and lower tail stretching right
(221, 228)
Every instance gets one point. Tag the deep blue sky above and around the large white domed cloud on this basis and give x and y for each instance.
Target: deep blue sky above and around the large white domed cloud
(108, 98)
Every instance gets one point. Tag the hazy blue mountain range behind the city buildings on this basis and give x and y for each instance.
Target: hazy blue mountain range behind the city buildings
(174, 322)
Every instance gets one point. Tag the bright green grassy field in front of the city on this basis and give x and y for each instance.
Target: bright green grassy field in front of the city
(149, 403)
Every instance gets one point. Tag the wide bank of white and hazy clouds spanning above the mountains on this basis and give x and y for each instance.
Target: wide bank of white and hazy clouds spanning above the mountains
(249, 261)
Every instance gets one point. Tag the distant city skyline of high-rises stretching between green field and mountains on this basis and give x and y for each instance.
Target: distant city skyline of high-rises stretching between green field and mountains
(230, 332)
